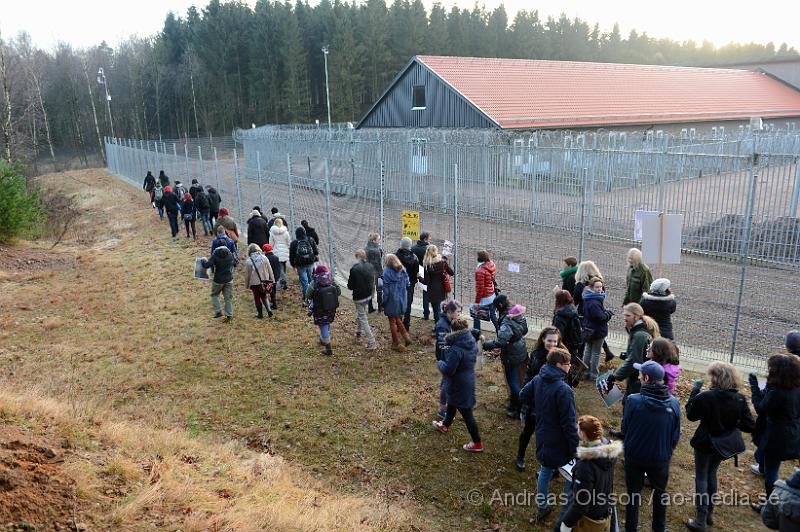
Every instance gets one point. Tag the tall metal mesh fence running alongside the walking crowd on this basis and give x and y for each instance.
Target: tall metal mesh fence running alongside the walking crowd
(532, 200)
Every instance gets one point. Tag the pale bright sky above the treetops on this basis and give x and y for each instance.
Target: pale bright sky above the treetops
(88, 22)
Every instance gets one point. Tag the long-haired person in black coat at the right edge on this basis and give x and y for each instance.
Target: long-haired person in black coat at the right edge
(777, 433)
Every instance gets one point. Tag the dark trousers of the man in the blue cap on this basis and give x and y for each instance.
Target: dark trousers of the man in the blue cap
(658, 474)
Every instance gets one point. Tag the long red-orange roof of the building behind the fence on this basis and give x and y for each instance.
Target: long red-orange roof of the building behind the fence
(521, 93)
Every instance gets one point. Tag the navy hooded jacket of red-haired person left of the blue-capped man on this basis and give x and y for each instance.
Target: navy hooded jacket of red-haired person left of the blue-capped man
(552, 402)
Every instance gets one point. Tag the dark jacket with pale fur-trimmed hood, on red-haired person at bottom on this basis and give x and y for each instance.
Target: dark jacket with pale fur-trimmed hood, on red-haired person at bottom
(593, 477)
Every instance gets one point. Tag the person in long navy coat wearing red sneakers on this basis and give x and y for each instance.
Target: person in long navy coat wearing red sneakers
(459, 367)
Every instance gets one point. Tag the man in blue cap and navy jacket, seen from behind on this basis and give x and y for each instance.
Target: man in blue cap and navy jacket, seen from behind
(651, 424)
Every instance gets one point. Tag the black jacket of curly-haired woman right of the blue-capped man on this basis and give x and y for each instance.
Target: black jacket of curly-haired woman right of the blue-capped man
(719, 412)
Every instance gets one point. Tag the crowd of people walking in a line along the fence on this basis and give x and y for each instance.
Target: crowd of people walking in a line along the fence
(540, 383)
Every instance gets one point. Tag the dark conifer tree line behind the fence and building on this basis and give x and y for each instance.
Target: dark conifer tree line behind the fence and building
(229, 65)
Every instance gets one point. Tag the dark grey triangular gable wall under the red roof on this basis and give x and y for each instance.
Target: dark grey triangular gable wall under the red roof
(444, 107)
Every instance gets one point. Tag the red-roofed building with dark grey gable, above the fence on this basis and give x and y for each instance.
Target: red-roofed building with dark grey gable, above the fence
(514, 94)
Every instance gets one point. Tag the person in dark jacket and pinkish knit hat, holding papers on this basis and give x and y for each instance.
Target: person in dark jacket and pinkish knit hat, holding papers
(513, 351)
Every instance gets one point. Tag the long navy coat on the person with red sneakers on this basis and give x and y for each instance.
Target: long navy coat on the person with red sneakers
(459, 367)
